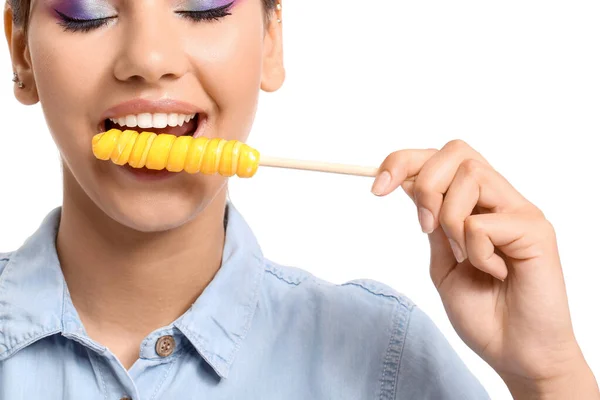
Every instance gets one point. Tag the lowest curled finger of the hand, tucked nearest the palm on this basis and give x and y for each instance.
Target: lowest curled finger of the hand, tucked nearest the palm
(519, 237)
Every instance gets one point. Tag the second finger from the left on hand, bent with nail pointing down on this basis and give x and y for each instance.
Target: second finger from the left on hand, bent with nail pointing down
(435, 178)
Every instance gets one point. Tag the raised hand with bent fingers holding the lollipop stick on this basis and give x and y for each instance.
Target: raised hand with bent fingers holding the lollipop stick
(495, 263)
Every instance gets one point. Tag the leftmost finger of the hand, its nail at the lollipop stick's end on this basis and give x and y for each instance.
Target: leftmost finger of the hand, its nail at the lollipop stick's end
(397, 167)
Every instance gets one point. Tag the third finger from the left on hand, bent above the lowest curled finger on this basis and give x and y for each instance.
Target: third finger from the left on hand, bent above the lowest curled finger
(475, 184)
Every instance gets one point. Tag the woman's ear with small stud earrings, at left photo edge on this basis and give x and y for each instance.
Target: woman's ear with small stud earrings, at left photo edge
(21, 59)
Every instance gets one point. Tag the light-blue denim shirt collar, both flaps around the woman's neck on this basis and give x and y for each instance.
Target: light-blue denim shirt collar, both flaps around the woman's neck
(35, 303)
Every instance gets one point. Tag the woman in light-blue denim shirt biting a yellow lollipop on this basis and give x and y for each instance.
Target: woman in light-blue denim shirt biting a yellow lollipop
(150, 285)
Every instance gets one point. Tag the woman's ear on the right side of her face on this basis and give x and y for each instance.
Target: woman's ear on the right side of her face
(273, 72)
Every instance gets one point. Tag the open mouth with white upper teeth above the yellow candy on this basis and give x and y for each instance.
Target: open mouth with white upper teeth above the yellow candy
(172, 123)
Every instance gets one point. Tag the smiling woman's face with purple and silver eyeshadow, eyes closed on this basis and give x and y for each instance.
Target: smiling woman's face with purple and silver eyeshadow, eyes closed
(212, 55)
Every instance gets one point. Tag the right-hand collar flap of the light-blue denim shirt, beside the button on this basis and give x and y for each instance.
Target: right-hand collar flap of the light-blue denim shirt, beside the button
(221, 317)
